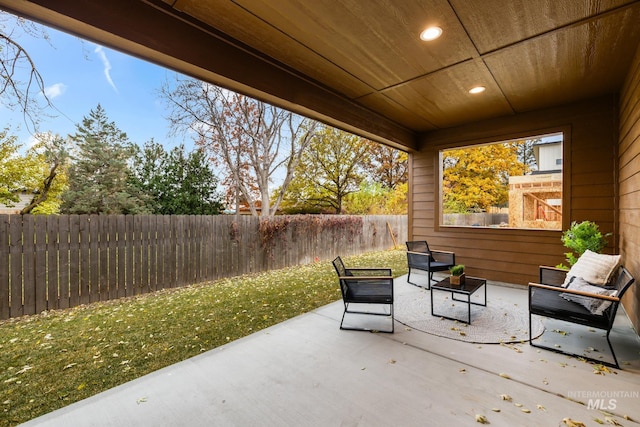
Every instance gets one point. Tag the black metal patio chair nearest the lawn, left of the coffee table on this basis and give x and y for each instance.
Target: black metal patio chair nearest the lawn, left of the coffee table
(365, 286)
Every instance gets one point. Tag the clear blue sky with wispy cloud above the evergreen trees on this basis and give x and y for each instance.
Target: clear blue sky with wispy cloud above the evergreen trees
(80, 74)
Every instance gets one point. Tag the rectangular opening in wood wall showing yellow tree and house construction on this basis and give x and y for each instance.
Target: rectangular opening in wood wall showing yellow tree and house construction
(508, 184)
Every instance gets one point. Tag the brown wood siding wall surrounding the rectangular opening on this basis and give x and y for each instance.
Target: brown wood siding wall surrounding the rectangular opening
(589, 189)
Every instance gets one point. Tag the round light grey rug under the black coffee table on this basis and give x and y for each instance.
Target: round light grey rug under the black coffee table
(498, 322)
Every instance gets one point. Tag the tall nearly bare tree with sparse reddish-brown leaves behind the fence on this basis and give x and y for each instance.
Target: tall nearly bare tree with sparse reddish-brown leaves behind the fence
(251, 141)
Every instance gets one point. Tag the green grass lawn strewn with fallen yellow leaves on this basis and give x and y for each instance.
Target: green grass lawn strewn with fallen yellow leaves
(53, 359)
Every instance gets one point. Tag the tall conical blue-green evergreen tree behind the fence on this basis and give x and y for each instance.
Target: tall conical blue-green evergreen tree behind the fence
(99, 176)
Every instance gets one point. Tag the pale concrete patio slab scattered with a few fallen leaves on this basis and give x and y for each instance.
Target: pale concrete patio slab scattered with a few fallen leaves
(307, 372)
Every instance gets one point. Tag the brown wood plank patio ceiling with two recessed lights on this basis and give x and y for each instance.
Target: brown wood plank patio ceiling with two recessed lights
(360, 64)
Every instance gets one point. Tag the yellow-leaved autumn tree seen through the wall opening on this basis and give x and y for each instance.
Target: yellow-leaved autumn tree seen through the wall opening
(476, 178)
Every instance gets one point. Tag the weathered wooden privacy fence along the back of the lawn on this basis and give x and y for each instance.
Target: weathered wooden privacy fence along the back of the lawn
(61, 261)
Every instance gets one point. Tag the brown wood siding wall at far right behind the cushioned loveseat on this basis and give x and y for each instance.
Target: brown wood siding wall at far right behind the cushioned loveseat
(629, 184)
